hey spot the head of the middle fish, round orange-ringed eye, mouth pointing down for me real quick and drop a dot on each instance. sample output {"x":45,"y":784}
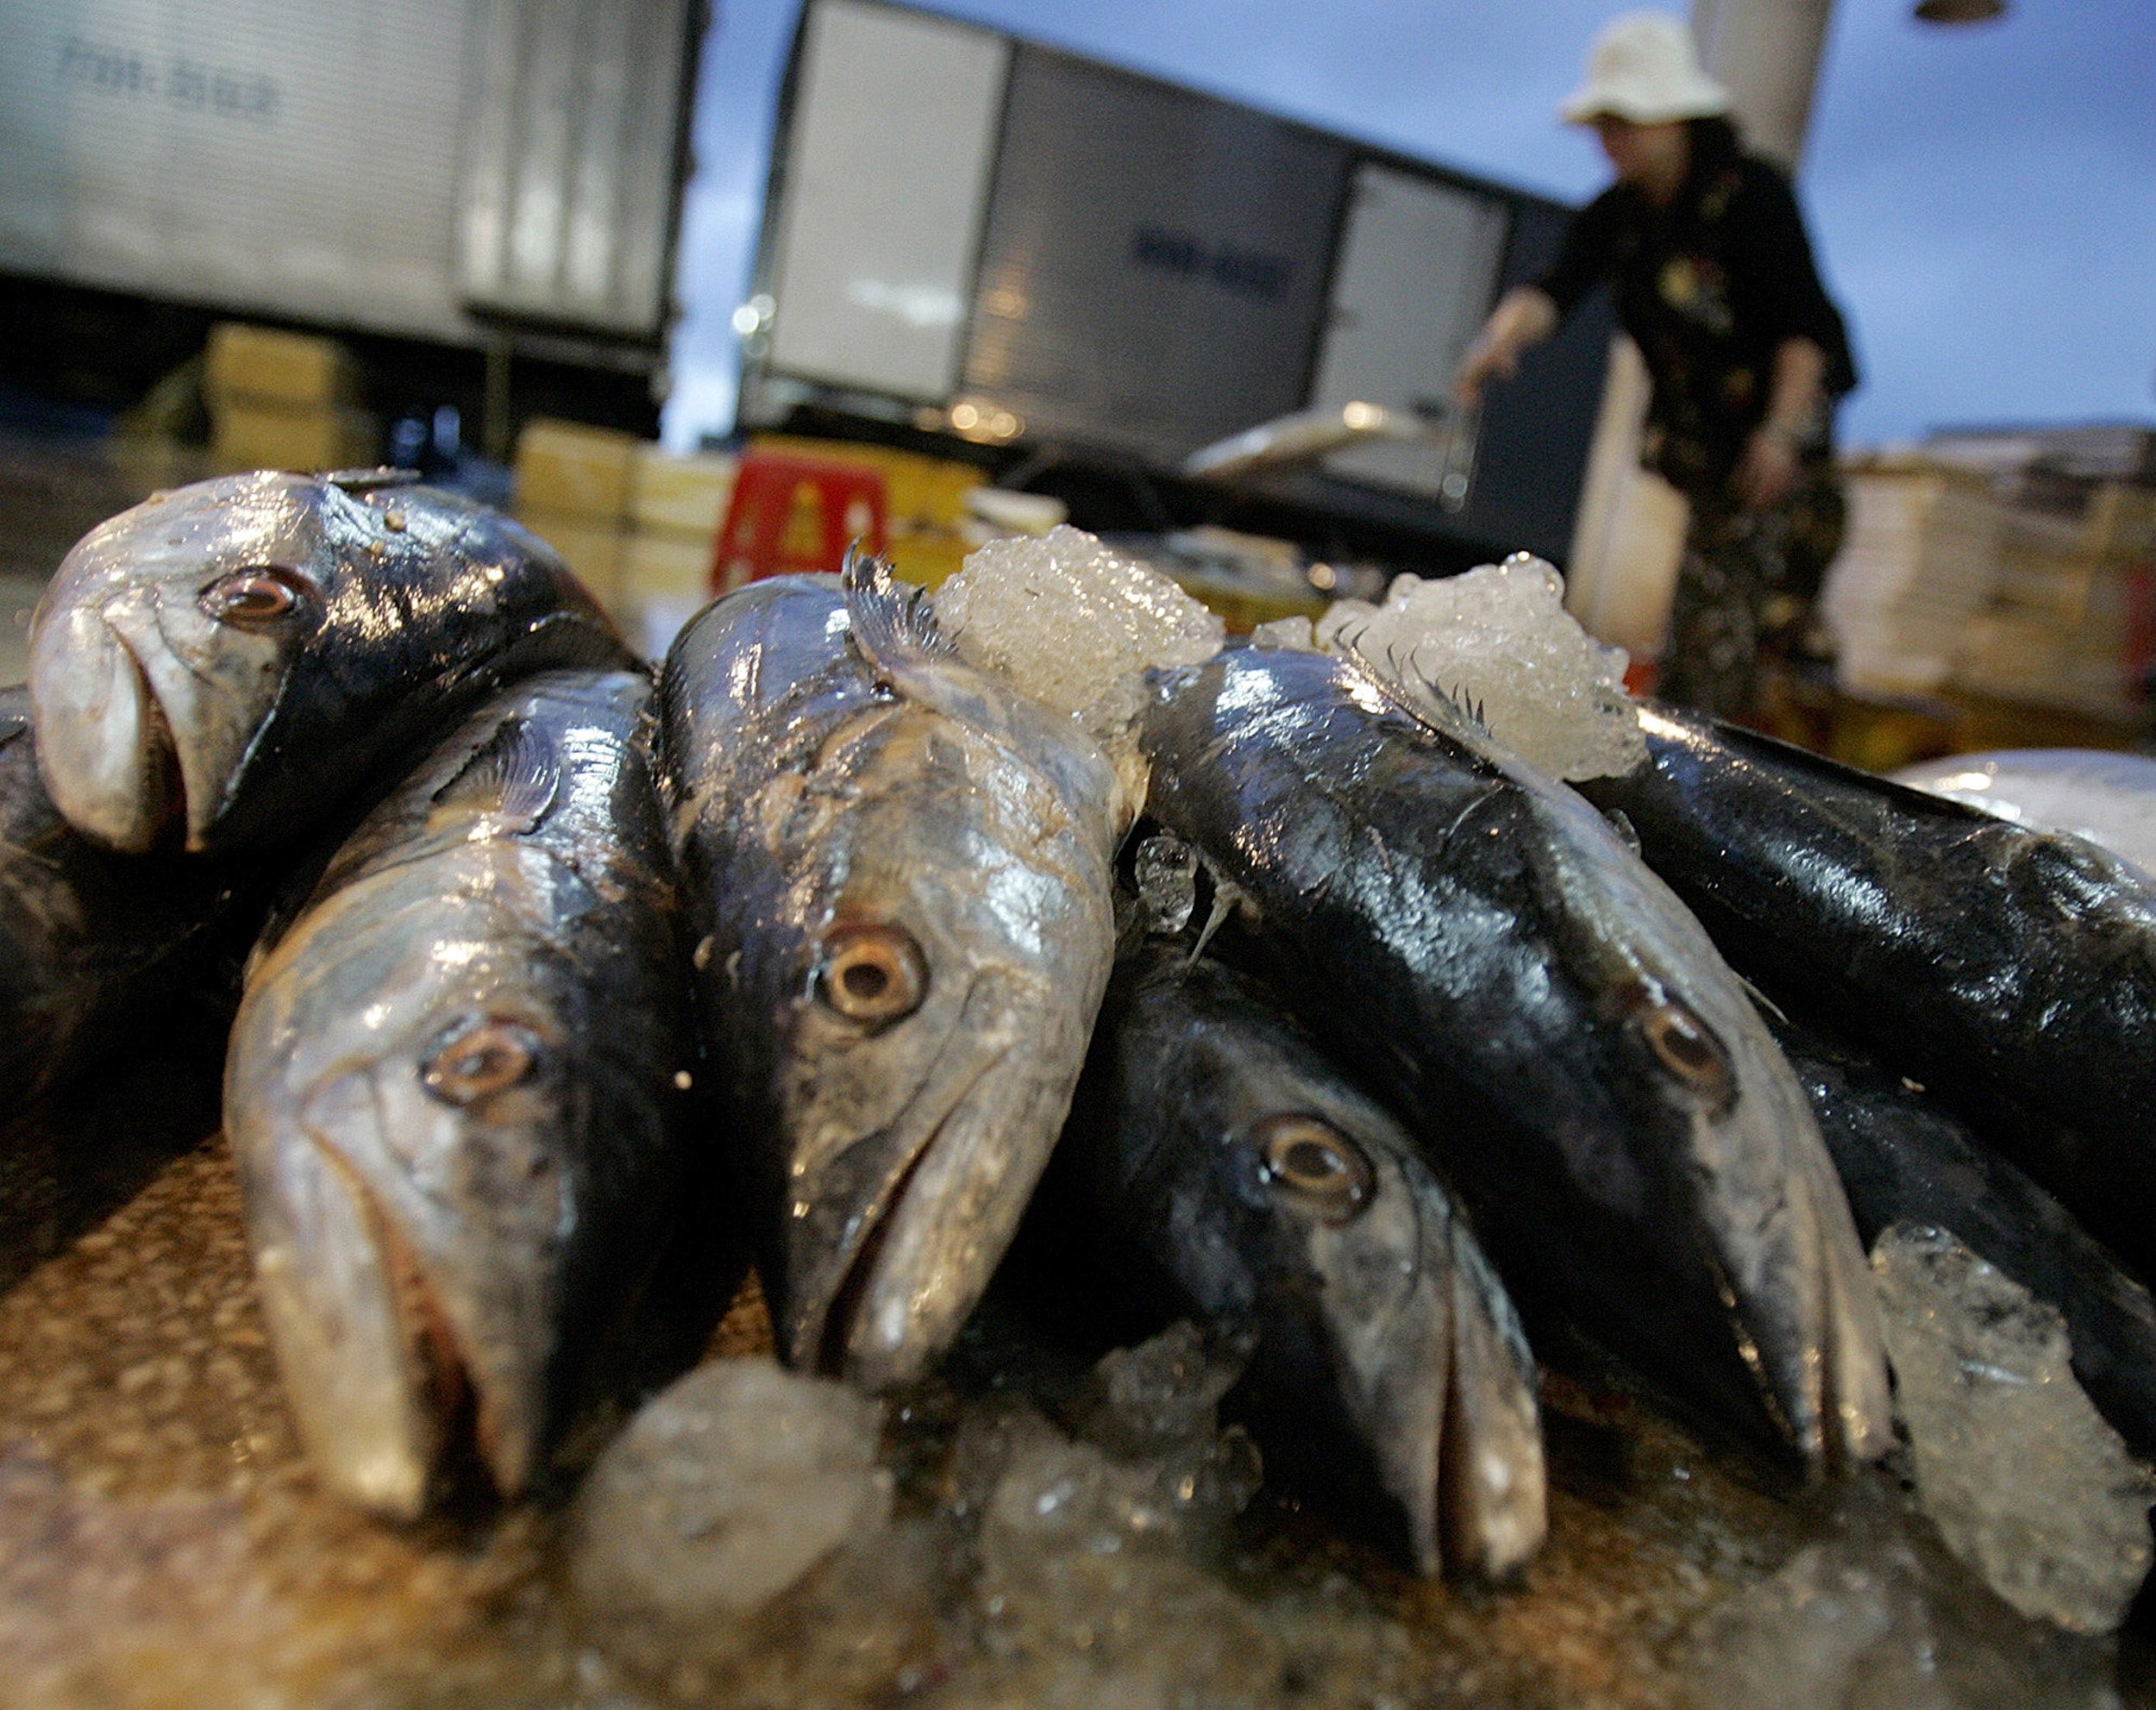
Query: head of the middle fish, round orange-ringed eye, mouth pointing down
{"x":935,"y":1021}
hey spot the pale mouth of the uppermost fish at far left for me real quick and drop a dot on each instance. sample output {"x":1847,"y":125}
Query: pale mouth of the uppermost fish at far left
{"x":105,"y":745}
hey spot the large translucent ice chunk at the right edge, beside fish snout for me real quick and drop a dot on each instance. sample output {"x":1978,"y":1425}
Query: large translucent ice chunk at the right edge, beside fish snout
{"x":2017,"y":1470}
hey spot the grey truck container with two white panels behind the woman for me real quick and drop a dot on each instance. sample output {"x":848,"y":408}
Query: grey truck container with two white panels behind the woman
{"x":984,"y":236}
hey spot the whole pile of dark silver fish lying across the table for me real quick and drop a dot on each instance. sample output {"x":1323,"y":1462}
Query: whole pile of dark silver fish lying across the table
{"x":1293,"y":1002}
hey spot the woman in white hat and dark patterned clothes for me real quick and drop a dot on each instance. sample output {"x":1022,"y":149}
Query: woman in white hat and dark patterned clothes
{"x":1713,"y":275}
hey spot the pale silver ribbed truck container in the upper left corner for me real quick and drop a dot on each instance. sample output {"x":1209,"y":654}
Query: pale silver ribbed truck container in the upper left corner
{"x":426,"y":169}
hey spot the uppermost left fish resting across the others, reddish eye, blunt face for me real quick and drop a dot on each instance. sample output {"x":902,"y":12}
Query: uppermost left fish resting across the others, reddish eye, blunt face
{"x":227,"y":661}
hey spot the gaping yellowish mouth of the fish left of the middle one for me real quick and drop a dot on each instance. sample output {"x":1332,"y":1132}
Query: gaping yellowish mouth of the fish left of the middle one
{"x":387,"y":1394}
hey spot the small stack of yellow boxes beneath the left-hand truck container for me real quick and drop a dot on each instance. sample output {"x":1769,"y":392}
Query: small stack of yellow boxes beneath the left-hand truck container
{"x":284,"y":402}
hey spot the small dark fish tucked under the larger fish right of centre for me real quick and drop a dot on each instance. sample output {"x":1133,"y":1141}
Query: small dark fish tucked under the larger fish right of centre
{"x":1226,"y":1172}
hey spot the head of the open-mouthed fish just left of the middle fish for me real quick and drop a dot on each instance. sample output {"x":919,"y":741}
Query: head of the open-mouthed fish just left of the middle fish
{"x":415,"y":1206}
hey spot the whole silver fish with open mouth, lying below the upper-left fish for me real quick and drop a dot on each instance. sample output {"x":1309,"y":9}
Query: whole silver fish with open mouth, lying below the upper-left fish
{"x":454,"y":1092}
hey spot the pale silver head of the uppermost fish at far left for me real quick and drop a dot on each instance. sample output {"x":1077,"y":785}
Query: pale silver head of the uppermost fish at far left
{"x":165,"y":644}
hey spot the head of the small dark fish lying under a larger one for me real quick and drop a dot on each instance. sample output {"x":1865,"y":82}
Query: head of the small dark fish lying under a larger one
{"x":1374,"y":1308}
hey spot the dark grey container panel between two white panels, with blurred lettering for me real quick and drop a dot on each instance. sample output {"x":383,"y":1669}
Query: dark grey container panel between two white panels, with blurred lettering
{"x":1152,"y":275}
